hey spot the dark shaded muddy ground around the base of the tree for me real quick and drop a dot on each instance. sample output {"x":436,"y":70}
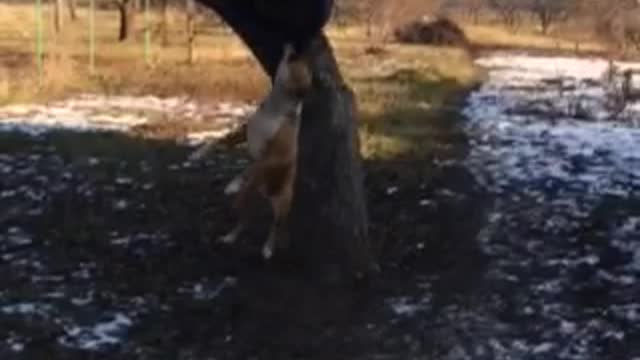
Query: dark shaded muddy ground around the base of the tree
{"x":101,"y":227}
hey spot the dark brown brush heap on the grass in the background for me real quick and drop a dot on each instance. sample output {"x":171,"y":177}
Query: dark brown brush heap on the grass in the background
{"x":440,"y":31}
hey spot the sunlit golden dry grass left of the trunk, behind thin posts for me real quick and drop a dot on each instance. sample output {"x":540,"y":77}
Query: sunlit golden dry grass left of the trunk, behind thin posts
{"x":120,"y":67}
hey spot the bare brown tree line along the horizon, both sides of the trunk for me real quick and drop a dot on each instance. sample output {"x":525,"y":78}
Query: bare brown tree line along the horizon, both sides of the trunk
{"x":615,"y":22}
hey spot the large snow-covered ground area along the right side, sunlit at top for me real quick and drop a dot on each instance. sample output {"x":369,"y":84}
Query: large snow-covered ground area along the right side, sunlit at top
{"x":563,"y":234}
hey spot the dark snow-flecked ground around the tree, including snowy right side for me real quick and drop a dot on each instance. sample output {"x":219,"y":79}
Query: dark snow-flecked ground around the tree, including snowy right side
{"x":518,"y":238}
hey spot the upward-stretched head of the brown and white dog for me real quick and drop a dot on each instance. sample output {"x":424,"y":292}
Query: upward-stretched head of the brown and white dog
{"x":293,"y":75}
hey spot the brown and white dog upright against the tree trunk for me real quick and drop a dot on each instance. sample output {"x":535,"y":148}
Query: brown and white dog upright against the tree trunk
{"x":272,"y":137}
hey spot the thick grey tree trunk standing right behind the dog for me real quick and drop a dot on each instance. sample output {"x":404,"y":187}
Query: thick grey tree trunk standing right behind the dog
{"x":329,"y":218}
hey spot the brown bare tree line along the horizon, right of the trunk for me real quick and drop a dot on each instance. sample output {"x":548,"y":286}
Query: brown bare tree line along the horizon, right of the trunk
{"x":616,"y":22}
